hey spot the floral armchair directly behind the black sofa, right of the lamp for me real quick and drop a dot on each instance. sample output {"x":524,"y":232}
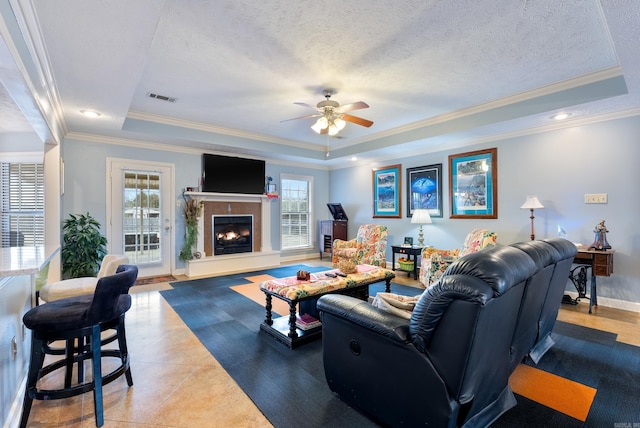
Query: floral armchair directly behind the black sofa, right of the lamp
{"x":435,"y":261}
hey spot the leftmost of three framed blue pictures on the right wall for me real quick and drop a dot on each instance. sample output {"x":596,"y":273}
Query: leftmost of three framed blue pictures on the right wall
{"x":386,"y":191}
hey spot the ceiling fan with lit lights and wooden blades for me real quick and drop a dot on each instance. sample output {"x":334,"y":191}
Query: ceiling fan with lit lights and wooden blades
{"x":332,"y":116}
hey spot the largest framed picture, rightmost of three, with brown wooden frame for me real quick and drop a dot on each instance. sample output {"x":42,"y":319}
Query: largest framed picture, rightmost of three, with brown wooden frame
{"x":473,"y":184}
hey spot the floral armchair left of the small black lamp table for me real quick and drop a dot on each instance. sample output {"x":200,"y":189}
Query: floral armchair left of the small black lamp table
{"x":368,"y":248}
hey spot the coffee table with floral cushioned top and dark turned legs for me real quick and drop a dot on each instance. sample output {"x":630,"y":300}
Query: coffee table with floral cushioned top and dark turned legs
{"x":294,"y":291}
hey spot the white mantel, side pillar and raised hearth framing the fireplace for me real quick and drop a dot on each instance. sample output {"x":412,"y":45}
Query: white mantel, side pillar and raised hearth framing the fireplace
{"x":226,"y":263}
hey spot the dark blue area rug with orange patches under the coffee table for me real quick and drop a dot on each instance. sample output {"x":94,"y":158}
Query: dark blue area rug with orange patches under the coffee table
{"x":595,"y":374}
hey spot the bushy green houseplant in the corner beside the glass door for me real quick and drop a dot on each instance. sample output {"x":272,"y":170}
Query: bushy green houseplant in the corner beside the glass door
{"x":83,"y":246}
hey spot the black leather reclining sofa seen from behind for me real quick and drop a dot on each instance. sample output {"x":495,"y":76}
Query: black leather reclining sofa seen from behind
{"x":449,"y":364}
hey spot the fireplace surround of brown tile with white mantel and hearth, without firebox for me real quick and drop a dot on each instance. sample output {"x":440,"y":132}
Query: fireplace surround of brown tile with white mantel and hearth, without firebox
{"x":262,"y":256}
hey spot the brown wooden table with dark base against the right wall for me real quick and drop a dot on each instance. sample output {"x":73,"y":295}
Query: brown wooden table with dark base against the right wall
{"x":601,"y":264}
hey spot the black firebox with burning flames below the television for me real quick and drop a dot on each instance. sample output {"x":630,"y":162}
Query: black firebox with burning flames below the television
{"x":232,"y":234}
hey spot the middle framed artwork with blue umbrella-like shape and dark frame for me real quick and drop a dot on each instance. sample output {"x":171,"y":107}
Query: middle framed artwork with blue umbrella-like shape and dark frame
{"x":424,"y":189}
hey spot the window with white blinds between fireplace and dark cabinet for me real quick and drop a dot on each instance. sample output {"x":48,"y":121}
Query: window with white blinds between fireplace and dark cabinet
{"x":295,"y":203}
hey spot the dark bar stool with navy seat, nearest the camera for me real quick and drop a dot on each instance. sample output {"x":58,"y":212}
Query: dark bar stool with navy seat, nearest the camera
{"x":78,"y":321}
